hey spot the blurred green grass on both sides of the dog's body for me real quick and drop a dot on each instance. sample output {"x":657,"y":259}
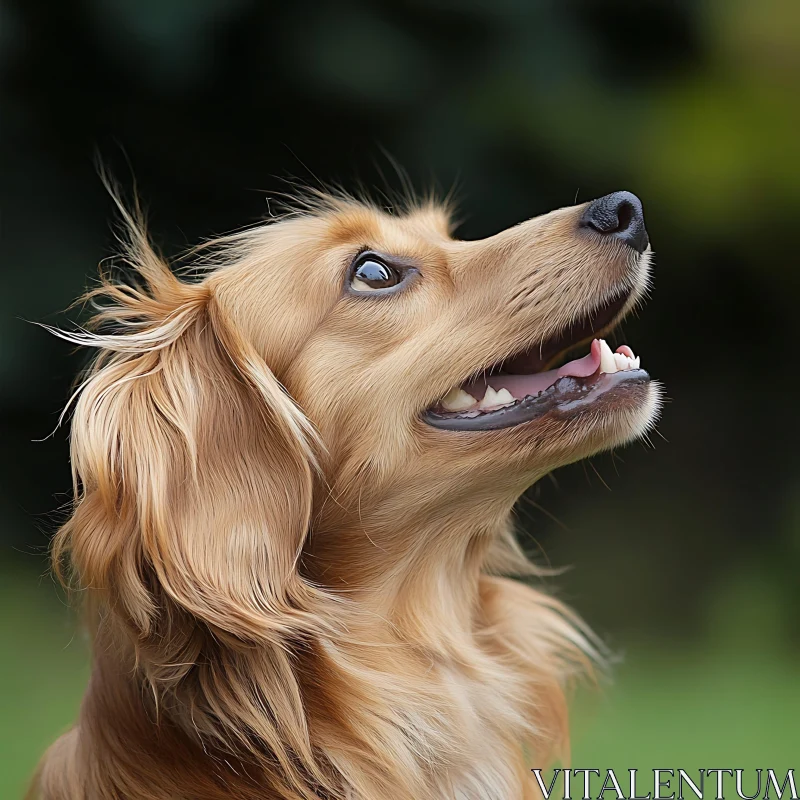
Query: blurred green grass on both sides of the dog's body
{"x":667,"y":706}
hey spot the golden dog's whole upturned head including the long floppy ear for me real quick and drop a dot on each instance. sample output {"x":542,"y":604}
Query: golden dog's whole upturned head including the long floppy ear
{"x":343,"y":367}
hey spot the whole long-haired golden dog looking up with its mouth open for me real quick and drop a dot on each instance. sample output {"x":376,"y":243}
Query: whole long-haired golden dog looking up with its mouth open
{"x":294,"y":480}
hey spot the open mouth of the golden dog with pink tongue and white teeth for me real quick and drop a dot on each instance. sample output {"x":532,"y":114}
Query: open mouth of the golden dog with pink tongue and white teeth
{"x":520,"y":389}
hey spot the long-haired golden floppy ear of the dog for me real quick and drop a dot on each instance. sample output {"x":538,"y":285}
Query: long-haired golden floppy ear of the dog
{"x":193,"y":467}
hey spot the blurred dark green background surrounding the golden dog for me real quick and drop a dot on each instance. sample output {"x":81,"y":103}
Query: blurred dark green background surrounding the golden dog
{"x":683,"y":557}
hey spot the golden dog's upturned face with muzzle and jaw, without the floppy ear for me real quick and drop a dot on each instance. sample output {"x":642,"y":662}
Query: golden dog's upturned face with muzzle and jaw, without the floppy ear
{"x":432,"y":367}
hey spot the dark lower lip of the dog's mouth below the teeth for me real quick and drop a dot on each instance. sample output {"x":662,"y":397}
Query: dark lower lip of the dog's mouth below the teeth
{"x":566,"y":396}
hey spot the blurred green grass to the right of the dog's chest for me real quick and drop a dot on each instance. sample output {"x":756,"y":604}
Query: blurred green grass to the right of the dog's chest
{"x":693,"y":710}
